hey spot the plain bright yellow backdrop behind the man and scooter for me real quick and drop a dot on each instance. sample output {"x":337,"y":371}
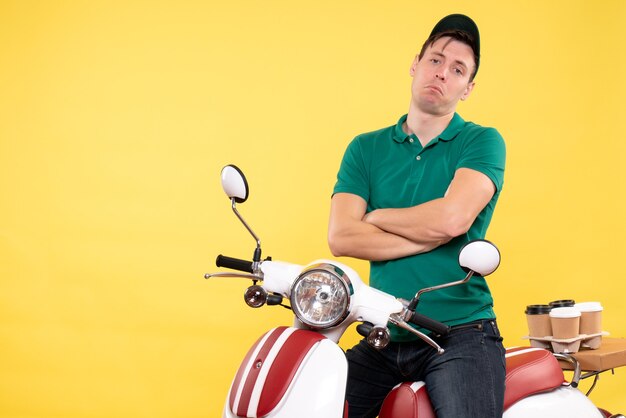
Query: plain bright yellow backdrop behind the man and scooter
{"x":117,"y":116}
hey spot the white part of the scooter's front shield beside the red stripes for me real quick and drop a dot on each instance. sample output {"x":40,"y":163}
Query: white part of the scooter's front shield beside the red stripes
{"x":318,"y":388}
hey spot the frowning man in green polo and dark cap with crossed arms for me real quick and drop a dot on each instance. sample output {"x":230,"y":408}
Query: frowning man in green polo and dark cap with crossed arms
{"x":407,"y":198}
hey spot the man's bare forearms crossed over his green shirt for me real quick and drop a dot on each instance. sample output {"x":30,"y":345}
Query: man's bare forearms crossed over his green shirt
{"x":386,"y":234}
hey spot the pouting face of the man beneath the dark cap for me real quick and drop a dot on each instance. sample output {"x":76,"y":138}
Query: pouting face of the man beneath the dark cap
{"x":442,"y":76}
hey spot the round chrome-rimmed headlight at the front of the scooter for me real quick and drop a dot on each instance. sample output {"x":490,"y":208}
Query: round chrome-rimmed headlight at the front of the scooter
{"x":320,"y":296}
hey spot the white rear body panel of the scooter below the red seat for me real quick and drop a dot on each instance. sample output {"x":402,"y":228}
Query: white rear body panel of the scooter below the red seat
{"x":564,"y":402}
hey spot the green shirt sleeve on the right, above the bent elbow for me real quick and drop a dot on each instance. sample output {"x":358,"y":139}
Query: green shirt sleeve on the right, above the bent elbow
{"x":486,"y":153}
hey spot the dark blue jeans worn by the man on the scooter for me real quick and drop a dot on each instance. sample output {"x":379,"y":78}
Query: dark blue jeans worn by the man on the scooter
{"x":465,"y":381}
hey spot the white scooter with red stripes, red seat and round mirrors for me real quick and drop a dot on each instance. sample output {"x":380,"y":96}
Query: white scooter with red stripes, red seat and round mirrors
{"x":300,"y":371}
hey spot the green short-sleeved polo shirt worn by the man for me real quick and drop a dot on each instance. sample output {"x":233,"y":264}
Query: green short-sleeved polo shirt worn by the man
{"x":390,"y":169}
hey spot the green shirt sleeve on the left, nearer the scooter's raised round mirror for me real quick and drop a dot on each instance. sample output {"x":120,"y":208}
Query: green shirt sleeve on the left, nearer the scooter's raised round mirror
{"x":353,"y":176}
